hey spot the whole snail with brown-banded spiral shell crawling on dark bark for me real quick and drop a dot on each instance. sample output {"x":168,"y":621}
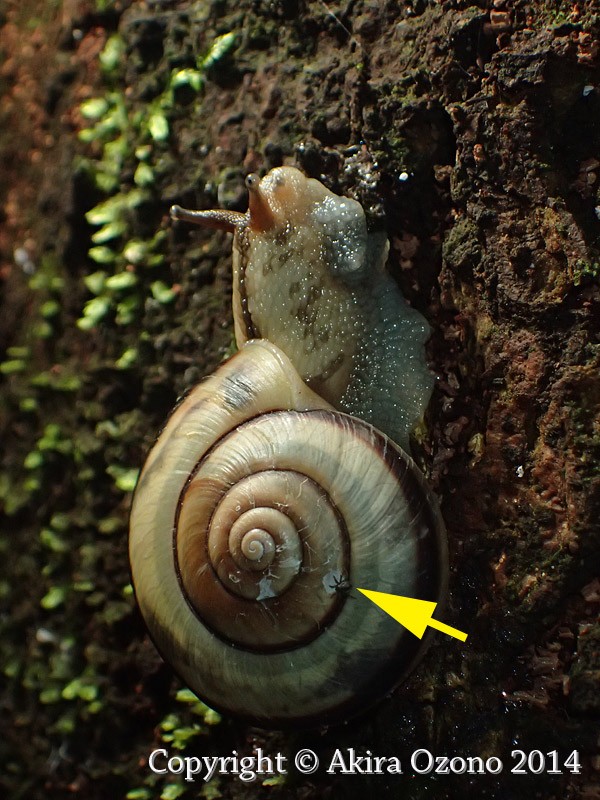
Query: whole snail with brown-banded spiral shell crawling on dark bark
{"x":278,"y":485}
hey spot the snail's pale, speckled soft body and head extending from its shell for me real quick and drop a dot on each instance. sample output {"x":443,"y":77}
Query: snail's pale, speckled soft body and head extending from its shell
{"x":309,"y":278}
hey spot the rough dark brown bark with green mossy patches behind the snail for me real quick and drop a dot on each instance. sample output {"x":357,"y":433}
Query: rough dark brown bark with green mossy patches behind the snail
{"x":471,"y":133}
